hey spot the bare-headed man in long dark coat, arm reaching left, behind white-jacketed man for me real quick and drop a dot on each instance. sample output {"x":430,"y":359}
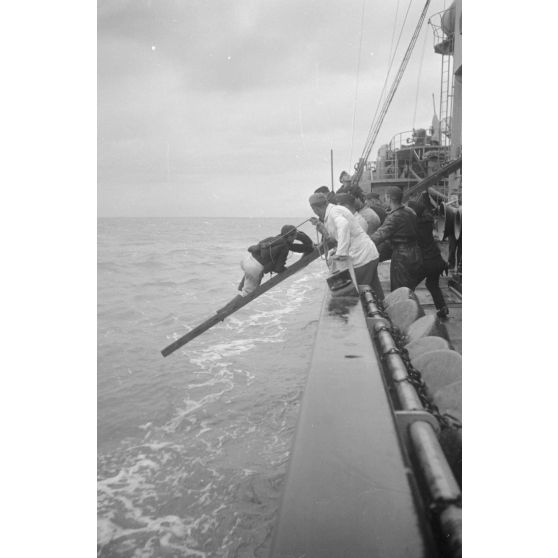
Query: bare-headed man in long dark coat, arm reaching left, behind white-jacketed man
{"x":400,"y":229}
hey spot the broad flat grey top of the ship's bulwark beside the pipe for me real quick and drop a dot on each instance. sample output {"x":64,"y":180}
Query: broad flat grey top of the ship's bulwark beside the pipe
{"x":348,"y":491}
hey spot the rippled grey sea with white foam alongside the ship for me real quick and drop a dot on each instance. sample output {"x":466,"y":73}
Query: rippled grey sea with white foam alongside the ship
{"x":193,"y":448}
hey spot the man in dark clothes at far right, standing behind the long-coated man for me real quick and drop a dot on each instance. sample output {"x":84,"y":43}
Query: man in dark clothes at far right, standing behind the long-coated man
{"x":433,"y":263}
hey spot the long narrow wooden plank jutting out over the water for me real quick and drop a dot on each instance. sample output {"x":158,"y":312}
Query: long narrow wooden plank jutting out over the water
{"x":210,"y":322}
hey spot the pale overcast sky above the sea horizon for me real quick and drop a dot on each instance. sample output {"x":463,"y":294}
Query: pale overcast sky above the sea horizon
{"x":230,"y":108}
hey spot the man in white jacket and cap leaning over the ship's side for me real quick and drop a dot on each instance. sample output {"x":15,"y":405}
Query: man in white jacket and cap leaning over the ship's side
{"x":353,"y":244}
